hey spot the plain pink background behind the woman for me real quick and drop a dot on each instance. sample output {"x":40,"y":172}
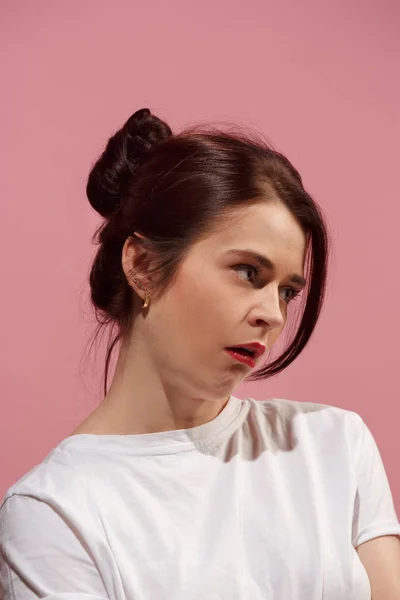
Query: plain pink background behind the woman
{"x":319,"y":78}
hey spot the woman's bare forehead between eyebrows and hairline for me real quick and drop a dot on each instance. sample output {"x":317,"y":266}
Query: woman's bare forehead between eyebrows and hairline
{"x":268,"y":228}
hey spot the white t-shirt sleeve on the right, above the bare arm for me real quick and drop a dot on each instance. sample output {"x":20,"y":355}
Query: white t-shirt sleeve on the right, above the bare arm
{"x":374,"y":513}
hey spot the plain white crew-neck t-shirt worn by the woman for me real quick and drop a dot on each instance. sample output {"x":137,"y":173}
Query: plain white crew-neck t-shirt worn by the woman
{"x":267,"y":501}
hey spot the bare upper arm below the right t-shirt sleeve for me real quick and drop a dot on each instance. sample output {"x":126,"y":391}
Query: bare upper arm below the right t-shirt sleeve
{"x":381,"y":559}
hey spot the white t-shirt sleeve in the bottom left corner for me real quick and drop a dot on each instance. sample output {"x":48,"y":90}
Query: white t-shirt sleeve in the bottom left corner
{"x":41,"y":556}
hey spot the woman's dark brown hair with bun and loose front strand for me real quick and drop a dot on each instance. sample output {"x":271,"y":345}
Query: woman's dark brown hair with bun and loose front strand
{"x":175,"y":189}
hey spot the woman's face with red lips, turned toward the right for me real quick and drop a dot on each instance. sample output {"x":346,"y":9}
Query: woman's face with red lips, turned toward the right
{"x":219,"y":300}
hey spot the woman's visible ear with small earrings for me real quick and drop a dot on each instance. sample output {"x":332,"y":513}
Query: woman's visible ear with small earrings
{"x":135,"y":262}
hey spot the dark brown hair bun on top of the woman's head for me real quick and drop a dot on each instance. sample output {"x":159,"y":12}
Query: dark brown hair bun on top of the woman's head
{"x":129,"y":147}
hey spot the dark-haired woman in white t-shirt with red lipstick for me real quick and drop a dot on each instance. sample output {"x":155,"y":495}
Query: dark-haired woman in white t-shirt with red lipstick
{"x":173,"y":488}
